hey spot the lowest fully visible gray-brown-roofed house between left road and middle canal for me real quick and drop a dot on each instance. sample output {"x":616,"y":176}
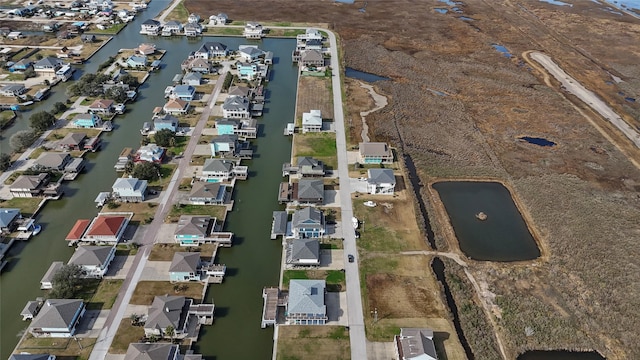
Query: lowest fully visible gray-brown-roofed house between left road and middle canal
{"x":168,"y":311}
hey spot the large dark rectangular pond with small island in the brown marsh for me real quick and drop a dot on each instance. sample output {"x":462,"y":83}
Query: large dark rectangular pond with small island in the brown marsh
{"x":486,"y":221}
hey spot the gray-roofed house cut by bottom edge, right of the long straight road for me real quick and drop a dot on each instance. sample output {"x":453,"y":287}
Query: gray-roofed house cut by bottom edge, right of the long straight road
{"x":415,"y":344}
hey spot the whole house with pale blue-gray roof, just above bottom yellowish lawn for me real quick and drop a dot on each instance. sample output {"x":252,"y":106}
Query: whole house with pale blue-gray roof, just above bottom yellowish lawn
{"x":306,"y":303}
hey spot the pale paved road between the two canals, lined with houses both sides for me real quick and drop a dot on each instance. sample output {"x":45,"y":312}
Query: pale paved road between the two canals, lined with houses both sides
{"x":150,"y":233}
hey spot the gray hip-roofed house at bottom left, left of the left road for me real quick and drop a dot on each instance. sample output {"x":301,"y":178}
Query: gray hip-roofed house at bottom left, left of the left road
{"x":58,"y":318}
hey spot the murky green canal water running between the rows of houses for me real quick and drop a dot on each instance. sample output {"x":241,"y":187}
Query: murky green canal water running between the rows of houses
{"x":254,"y":260}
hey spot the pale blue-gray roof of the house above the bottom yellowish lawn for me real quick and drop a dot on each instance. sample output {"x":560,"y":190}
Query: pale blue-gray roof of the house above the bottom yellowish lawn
{"x":306,"y":297}
